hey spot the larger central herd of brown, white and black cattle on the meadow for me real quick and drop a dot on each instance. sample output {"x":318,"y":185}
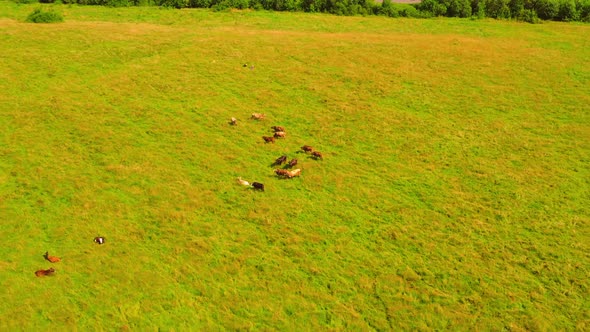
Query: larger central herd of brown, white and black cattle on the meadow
{"x":286,"y":172}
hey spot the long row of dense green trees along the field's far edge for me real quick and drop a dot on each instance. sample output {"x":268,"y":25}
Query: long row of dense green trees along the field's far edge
{"x":532,"y":11}
